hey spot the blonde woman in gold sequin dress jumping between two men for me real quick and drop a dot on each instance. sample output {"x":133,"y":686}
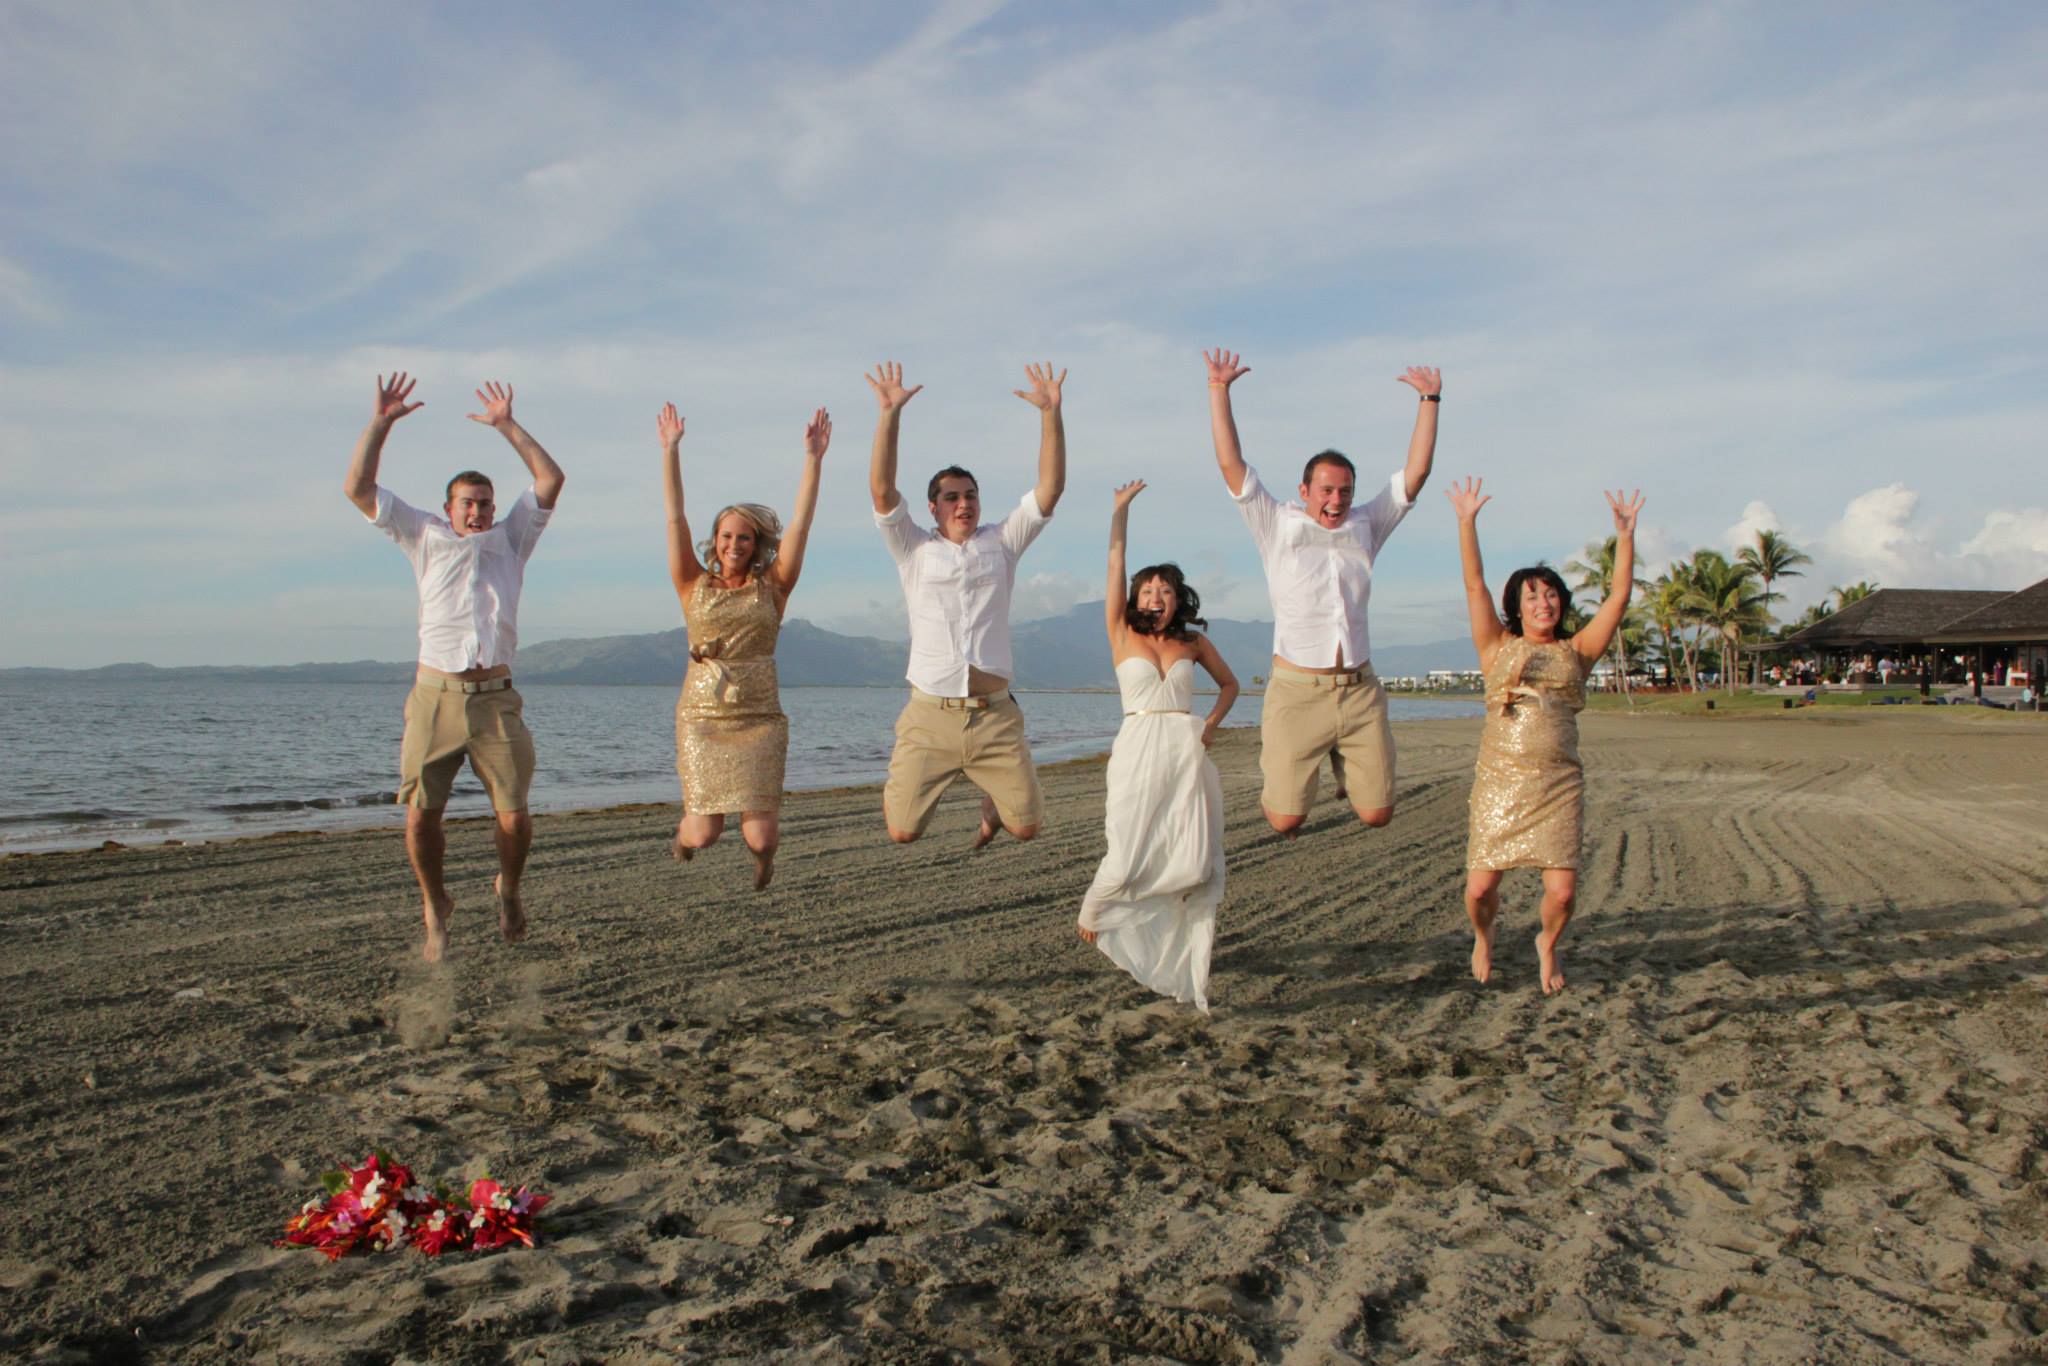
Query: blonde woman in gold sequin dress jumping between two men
{"x":732,"y":738}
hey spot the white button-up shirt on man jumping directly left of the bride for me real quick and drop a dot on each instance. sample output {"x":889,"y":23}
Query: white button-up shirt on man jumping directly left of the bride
{"x":959,"y":595}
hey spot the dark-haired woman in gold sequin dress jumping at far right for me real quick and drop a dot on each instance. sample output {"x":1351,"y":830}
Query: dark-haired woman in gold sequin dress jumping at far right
{"x":1529,"y":787}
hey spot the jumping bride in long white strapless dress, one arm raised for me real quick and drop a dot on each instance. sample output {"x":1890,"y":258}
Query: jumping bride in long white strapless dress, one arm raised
{"x":1152,"y":908}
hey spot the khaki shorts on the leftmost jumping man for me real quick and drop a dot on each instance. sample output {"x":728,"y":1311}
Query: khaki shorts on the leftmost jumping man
{"x":443,"y":724}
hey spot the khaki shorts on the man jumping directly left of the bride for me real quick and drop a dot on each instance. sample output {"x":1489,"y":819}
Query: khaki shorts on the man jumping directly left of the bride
{"x":939,"y":740}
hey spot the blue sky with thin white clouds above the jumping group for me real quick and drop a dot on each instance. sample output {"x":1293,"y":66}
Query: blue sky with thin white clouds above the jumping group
{"x":1777,"y":265}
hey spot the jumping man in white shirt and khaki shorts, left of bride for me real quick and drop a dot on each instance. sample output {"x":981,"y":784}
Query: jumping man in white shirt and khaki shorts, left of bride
{"x":962,"y":718}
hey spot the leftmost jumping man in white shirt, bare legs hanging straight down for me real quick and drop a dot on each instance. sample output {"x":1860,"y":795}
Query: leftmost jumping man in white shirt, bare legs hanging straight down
{"x":470,"y":566}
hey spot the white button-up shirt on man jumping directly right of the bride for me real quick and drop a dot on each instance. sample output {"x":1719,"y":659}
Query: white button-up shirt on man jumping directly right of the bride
{"x":1320,"y":579}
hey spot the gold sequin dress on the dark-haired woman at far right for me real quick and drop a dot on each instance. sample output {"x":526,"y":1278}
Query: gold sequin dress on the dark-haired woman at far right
{"x":1529,"y":785}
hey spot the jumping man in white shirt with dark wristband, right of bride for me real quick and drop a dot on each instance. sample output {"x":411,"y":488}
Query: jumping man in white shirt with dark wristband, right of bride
{"x":1318,"y":556}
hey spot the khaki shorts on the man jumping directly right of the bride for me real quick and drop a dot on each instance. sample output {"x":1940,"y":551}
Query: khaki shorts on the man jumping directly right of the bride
{"x":1306,"y":718}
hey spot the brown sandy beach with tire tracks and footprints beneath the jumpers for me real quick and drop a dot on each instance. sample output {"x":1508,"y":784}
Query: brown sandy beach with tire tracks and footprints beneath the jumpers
{"x":1791,"y":1109}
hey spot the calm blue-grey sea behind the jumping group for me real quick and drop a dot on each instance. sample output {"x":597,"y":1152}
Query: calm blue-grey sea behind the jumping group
{"x":83,"y":763}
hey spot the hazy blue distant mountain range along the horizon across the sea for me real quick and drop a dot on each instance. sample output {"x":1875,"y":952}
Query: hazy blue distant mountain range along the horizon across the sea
{"x":1054,"y":652}
